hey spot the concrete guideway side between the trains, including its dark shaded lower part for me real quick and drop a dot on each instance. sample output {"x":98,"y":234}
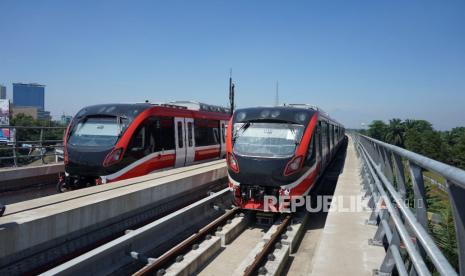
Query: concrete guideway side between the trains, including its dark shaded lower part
{"x":41,"y":229}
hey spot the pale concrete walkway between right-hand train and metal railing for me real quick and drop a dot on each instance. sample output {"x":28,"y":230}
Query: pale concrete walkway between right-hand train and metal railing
{"x":344,"y":248}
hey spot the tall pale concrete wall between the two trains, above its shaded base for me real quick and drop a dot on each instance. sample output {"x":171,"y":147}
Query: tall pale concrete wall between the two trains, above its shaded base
{"x":37,"y":222}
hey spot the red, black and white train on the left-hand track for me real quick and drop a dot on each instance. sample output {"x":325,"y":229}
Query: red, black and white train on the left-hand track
{"x":106,"y":143}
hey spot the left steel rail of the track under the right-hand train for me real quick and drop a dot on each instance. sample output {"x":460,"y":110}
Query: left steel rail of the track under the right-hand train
{"x":179,"y":249}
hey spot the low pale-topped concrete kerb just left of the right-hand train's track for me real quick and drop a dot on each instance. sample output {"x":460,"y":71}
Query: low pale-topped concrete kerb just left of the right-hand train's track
{"x":116,"y":254}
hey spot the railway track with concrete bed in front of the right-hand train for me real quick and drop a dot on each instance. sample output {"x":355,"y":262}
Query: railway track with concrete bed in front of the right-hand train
{"x":200,"y":251}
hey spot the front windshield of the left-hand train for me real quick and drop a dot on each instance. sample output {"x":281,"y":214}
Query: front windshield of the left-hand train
{"x":97,"y":131}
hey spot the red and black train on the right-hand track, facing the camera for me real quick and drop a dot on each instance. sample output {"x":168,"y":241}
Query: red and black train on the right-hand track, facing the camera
{"x":277,"y":152}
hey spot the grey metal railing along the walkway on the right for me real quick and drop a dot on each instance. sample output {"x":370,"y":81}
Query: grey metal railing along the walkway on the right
{"x":399,"y":225}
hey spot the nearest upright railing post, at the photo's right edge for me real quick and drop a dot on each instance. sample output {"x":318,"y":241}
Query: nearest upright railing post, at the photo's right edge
{"x":457,"y":201}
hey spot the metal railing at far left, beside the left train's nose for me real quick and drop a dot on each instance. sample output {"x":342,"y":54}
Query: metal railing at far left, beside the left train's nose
{"x":35,"y":138}
